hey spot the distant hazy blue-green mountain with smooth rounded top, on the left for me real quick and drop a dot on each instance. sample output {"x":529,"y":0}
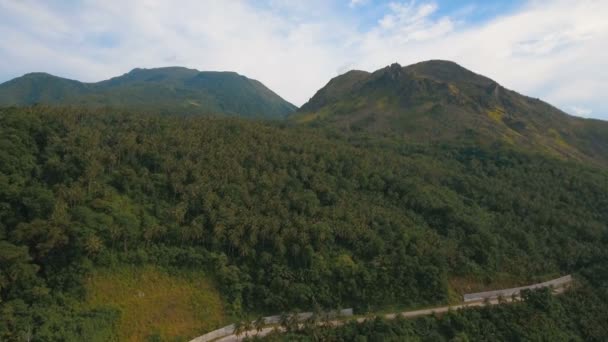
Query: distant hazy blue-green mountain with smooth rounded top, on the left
{"x":167,"y":90}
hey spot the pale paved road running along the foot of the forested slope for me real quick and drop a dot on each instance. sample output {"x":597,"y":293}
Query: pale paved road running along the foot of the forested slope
{"x":406,"y":314}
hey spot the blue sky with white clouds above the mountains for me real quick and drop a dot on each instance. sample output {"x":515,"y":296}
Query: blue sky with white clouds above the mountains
{"x":556,"y":50}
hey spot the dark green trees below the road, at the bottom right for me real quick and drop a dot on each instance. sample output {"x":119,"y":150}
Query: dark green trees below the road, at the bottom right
{"x":579,"y":315}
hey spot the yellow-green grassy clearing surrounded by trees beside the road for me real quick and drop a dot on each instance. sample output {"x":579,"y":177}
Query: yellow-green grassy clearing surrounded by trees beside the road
{"x":153,"y":302}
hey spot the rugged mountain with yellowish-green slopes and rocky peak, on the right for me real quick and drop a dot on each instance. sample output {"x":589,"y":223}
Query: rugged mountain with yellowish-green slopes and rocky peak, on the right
{"x":442,"y":101}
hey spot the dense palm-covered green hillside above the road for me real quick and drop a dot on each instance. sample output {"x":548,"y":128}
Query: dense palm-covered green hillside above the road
{"x":277,"y":217}
